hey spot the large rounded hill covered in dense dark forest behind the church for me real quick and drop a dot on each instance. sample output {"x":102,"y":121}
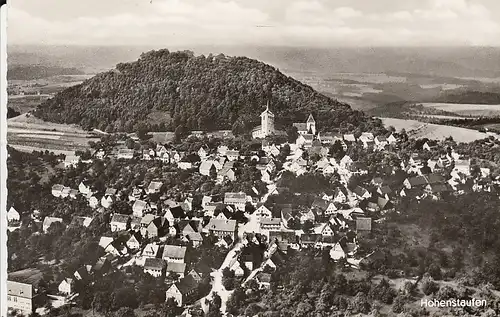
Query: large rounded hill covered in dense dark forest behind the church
{"x":165,"y":90}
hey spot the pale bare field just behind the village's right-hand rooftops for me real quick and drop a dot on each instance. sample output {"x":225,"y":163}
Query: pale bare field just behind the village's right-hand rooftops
{"x":417,"y":129}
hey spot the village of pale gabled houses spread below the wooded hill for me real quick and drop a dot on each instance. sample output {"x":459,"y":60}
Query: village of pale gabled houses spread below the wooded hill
{"x":256,"y":230}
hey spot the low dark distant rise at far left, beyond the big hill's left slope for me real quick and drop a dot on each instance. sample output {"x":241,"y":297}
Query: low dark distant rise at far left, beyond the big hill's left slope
{"x":30,"y":72}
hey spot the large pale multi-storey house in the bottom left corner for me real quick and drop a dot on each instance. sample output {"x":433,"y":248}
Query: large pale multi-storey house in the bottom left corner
{"x":21,"y":296}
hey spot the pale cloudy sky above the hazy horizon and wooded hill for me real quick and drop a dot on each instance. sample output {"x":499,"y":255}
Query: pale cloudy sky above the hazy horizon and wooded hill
{"x":322,"y":23}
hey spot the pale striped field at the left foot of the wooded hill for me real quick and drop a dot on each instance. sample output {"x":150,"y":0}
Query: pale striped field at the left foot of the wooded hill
{"x":28,"y":134}
